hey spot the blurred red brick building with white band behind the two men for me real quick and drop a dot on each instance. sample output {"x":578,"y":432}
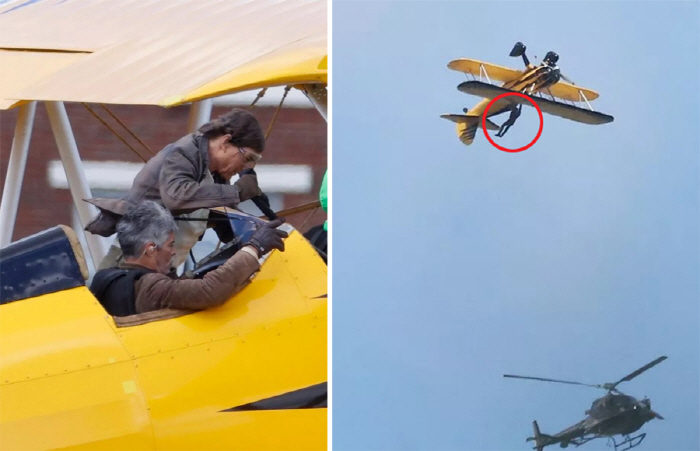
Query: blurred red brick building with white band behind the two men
{"x":290,"y":173}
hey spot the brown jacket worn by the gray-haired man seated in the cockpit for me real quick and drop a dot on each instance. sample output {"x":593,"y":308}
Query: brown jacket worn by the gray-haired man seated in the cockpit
{"x":155,"y":291}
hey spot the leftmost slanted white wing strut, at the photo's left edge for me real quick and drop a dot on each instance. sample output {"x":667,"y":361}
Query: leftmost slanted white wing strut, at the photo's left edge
{"x":15,"y":172}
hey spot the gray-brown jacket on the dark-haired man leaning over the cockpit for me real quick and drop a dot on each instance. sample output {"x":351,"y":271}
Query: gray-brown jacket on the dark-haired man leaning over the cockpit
{"x":175,"y":177}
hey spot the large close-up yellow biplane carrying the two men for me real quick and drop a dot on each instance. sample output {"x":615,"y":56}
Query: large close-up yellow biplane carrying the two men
{"x":250,"y":375}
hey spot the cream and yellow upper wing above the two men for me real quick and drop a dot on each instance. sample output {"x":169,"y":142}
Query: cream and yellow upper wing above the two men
{"x":119,"y":54}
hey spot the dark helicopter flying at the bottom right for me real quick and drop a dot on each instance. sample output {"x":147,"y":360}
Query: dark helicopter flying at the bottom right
{"x":613,"y":414}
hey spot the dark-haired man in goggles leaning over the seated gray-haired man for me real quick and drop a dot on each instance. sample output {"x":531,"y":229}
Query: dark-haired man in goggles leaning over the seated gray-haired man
{"x":190,"y":176}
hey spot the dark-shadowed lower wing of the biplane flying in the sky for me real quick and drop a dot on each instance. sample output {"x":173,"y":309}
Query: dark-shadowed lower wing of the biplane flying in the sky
{"x":560,"y":109}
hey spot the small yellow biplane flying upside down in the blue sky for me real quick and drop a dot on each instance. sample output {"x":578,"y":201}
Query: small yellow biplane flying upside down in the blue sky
{"x":541,"y":83}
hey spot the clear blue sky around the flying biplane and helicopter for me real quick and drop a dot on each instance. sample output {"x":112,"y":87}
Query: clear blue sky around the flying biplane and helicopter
{"x":575,"y":259}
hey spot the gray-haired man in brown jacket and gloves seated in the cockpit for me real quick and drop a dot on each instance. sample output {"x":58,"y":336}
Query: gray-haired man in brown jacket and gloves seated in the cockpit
{"x":139,"y":284}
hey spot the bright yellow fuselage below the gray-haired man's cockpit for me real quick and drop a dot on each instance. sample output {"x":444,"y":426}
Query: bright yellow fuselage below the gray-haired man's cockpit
{"x":71,"y":379}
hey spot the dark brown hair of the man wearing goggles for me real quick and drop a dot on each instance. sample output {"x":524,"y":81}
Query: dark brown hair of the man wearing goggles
{"x":243,"y":127}
